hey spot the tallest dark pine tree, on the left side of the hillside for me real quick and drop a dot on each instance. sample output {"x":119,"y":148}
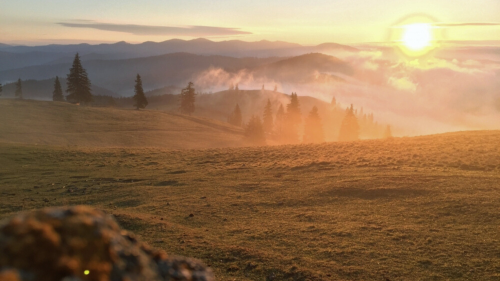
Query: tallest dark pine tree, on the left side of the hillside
{"x":78,"y":83}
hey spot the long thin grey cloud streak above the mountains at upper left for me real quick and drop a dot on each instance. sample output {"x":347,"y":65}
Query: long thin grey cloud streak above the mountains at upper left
{"x":194,"y":31}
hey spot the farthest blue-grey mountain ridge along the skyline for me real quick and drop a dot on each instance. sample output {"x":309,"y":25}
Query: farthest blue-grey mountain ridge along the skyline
{"x":14,"y":57}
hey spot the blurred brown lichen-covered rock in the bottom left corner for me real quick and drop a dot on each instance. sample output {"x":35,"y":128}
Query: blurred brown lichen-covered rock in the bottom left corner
{"x":80,"y":243}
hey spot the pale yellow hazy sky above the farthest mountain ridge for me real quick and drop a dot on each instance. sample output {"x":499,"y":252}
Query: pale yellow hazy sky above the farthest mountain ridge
{"x":305,"y":22}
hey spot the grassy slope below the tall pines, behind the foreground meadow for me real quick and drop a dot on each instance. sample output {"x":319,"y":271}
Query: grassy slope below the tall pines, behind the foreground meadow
{"x":54,"y":123}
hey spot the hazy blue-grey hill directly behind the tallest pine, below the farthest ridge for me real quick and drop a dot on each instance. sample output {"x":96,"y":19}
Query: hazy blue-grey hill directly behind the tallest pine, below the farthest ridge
{"x":156,"y":72}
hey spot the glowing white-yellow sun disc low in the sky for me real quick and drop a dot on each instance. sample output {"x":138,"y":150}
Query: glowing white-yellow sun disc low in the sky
{"x":417,"y":36}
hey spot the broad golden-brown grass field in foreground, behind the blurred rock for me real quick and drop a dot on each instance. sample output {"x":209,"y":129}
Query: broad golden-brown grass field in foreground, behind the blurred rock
{"x":424,"y":208}
